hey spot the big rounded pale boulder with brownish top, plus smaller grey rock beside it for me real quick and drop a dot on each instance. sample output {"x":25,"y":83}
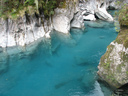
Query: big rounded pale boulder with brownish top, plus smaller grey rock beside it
{"x":63,"y":17}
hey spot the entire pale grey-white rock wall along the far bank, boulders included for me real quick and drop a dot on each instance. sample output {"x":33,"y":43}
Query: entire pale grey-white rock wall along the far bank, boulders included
{"x":28,"y":28}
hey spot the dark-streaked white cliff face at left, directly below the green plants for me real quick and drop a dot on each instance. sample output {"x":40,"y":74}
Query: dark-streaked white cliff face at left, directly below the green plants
{"x":22,"y":31}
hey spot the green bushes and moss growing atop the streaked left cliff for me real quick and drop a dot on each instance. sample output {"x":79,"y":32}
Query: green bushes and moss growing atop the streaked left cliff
{"x":15,"y":8}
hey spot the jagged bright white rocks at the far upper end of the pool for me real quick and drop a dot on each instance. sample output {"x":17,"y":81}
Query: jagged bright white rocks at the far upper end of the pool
{"x":95,"y":8}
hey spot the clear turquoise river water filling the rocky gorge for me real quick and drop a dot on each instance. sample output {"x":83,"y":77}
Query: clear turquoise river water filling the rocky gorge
{"x":66,"y":65}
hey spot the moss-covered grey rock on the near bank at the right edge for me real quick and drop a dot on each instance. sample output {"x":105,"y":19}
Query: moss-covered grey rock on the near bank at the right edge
{"x":113,"y":67}
